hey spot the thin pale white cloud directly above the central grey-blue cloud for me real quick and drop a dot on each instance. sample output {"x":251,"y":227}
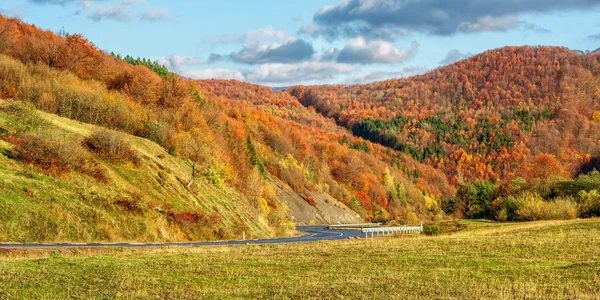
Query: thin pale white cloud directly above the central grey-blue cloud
{"x":251,"y":37}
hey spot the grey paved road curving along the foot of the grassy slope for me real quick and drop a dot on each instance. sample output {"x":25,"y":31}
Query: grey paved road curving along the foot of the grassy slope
{"x":311,"y":234}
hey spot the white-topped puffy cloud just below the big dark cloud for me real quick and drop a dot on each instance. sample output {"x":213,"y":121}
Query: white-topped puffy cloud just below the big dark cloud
{"x":361,"y":51}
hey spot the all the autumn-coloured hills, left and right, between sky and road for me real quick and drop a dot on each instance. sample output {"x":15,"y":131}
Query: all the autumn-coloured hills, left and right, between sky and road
{"x":213,"y":158}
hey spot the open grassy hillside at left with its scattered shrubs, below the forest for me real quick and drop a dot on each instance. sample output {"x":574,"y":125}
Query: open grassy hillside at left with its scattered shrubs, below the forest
{"x":117,"y":201}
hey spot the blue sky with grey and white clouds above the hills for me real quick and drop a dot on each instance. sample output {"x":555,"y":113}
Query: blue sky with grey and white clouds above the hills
{"x":282,"y":43}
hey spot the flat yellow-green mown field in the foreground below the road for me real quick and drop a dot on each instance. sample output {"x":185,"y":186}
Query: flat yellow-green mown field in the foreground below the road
{"x":547,"y":259}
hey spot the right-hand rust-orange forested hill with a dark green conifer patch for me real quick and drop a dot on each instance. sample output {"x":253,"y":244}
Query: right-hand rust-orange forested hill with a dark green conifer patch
{"x":515,"y":111}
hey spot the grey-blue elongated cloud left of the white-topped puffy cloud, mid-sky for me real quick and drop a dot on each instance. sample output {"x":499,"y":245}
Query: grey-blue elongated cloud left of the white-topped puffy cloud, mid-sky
{"x":290,"y":51}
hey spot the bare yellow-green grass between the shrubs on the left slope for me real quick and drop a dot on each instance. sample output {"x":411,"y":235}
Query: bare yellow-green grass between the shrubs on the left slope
{"x":78,"y":208}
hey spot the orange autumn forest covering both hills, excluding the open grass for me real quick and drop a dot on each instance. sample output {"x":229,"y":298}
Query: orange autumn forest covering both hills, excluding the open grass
{"x":509,"y":134}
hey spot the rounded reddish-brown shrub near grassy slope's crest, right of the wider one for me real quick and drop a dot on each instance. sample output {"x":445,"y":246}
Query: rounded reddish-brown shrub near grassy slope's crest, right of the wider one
{"x":110,"y":146}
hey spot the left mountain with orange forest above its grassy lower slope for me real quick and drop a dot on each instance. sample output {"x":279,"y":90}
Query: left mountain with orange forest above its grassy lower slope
{"x":165,"y":158}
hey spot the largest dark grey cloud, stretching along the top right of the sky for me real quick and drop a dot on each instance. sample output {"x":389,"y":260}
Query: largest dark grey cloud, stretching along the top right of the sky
{"x":385,"y":18}
